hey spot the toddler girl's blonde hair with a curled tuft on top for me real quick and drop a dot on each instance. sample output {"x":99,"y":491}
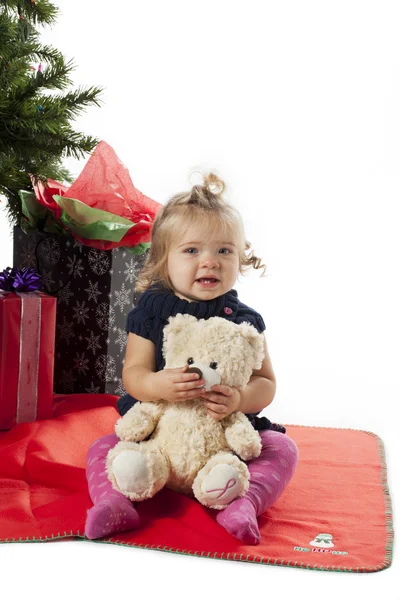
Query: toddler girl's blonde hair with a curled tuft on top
{"x":205,"y":206}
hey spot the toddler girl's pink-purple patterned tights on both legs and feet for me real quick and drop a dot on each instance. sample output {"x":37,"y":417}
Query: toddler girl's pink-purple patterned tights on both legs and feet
{"x":270,"y":473}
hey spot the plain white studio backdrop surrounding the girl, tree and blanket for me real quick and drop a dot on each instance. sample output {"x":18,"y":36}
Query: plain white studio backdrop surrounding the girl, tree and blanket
{"x":296,"y":106}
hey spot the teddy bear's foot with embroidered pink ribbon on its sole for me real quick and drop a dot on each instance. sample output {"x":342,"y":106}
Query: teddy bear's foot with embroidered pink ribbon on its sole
{"x":218,"y":483}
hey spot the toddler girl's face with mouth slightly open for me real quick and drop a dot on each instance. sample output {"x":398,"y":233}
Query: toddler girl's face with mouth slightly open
{"x":196,"y":259}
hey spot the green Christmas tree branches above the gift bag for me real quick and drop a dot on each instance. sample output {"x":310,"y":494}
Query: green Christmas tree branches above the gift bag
{"x":36,"y":132}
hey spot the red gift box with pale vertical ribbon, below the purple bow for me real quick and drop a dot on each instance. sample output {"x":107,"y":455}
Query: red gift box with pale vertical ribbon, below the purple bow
{"x":27,"y":334}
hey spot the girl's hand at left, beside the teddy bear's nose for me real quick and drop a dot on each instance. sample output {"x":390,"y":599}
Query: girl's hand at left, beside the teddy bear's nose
{"x":175,"y":385}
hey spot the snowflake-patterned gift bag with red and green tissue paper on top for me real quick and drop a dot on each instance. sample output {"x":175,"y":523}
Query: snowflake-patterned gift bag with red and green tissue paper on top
{"x":88,"y":242}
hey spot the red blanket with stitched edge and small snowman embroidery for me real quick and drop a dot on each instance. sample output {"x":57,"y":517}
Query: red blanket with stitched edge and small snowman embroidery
{"x":334,"y":515}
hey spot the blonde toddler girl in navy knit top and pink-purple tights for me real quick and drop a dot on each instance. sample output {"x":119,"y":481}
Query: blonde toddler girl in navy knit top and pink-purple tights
{"x":198,"y":249}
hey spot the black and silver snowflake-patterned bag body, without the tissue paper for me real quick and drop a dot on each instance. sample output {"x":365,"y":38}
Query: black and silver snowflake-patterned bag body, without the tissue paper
{"x":95,"y":291}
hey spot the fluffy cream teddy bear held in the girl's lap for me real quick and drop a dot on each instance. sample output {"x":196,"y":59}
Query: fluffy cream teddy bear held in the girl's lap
{"x":179,"y":445}
